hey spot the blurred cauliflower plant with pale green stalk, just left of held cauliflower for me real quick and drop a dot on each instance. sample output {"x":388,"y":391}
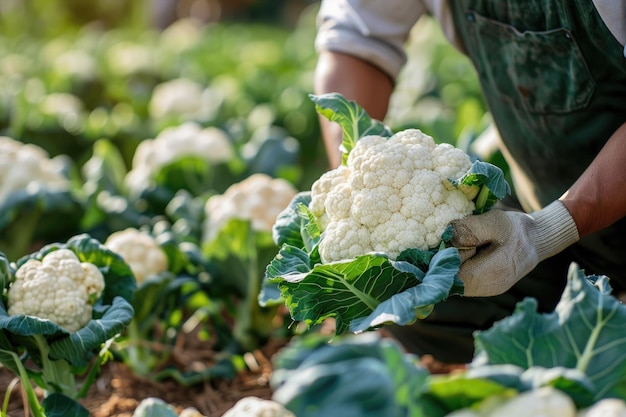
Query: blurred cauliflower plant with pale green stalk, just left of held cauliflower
{"x":237,"y":237}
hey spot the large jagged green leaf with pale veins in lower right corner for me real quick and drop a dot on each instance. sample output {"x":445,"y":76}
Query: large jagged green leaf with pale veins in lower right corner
{"x":586,"y":332}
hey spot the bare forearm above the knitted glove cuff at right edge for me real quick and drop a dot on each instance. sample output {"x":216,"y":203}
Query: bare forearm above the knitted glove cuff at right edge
{"x":597,"y":199}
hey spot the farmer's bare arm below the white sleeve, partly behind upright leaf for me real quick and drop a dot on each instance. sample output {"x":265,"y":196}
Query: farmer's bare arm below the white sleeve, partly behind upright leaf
{"x":356,"y":80}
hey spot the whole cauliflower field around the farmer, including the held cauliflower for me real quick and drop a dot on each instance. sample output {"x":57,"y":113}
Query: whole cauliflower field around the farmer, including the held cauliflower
{"x":163,"y":196}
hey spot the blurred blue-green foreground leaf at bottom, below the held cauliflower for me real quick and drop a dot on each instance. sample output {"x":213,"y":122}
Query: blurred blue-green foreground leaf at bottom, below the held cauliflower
{"x":356,"y":376}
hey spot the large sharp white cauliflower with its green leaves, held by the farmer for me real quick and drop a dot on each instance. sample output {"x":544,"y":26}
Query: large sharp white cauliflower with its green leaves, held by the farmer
{"x":367,"y":244}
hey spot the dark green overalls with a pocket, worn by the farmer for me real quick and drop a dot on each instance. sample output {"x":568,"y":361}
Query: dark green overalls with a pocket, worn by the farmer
{"x":554,"y":78}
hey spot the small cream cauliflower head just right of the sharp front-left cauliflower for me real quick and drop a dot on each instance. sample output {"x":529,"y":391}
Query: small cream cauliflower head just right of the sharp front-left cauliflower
{"x":140,"y":251}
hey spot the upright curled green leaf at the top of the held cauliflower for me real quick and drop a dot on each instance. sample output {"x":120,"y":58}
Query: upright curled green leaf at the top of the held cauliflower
{"x":352,"y":118}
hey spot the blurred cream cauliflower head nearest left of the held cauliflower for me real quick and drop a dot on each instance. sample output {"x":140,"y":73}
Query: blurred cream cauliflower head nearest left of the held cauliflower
{"x":258,"y":198}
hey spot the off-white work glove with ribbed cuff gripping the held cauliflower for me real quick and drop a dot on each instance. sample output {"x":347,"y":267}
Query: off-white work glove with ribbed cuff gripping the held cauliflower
{"x":498,"y":248}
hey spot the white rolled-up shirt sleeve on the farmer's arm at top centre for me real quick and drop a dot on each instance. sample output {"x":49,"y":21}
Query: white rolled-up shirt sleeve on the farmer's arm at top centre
{"x":373,"y":30}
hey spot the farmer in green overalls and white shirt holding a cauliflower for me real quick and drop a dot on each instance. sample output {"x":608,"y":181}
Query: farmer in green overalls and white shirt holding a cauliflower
{"x":553,"y":74}
